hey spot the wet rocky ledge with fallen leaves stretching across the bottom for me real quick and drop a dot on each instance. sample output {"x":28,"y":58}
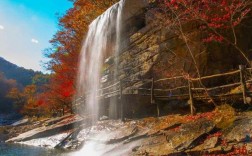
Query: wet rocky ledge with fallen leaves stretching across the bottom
{"x":220,"y":132}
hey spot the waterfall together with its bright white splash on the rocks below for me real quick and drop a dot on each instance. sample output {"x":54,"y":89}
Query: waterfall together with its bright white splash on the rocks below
{"x":103,"y":39}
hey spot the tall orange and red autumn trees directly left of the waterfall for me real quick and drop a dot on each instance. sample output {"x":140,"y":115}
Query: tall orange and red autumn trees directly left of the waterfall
{"x":66,"y":47}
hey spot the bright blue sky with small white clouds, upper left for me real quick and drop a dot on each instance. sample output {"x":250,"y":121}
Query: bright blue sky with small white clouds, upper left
{"x":26,"y":26}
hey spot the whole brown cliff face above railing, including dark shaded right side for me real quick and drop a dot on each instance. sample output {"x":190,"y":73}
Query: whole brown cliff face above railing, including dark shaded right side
{"x":153,"y":51}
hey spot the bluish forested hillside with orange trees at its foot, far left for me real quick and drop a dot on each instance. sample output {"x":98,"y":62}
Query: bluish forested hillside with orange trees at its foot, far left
{"x":14,"y":81}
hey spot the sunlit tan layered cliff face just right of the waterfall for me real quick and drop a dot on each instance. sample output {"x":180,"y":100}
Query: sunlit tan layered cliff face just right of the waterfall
{"x":153,"y":51}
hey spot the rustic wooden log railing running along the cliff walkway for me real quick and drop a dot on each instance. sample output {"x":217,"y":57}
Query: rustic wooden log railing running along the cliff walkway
{"x":188,"y":90}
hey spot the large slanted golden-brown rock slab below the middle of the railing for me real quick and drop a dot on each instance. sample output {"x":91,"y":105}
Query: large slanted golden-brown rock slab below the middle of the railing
{"x":179,"y":140}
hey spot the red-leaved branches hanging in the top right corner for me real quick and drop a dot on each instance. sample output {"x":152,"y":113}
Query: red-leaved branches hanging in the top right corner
{"x":215,"y":16}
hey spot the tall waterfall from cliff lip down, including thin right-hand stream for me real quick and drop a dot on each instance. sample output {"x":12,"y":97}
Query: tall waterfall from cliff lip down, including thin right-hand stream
{"x":104,"y":38}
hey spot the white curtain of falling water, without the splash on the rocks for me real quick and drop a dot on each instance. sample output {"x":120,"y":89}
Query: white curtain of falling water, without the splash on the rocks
{"x":103,"y":37}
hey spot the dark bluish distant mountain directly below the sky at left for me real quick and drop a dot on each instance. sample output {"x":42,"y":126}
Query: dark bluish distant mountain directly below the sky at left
{"x":21,"y":75}
